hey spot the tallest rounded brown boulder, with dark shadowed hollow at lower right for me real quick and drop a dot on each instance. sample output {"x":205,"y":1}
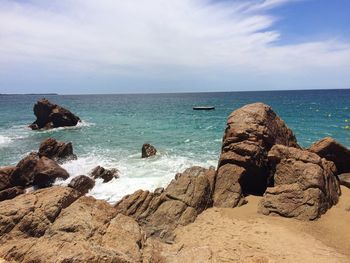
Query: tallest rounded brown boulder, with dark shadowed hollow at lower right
{"x":243,"y":166}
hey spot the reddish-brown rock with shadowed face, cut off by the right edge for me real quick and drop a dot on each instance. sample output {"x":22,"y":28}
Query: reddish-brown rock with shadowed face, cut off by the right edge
{"x":331,"y":150}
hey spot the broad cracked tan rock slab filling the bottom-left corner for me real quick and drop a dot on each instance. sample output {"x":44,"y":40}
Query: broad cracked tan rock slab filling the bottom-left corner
{"x":55,"y":225}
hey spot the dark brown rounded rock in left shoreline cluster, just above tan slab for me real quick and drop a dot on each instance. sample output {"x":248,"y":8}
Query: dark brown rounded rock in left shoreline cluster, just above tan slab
{"x":41,"y":172}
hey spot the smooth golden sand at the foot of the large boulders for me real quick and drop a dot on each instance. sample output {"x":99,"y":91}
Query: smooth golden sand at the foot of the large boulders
{"x":243,"y":235}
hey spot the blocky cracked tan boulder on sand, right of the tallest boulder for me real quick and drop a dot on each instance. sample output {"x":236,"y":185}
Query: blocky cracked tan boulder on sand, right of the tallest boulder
{"x":305,"y":185}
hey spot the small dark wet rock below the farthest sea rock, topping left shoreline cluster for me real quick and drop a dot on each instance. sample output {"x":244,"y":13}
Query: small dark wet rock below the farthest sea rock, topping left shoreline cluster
{"x":56,"y":150}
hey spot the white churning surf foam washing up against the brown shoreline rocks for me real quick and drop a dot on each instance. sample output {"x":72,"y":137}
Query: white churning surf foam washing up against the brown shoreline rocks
{"x":135,"y":173}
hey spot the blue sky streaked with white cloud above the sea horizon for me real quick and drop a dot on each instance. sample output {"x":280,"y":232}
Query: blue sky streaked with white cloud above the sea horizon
{"x":151,"y":46}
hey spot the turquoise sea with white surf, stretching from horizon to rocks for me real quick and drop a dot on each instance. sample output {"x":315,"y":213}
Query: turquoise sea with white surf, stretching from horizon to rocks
{"x":114,"y":128}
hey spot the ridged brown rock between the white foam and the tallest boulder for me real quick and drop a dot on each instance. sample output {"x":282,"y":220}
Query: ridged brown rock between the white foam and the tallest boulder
{"x":179,"y":204}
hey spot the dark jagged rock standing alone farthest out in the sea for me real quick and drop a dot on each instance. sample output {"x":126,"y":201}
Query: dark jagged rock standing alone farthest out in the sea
{"x":50,"y":115}
